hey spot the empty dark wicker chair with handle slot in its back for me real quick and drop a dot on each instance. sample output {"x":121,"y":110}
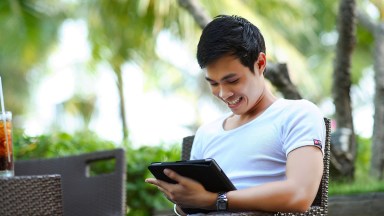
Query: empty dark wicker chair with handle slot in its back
{"x":83,"y":193}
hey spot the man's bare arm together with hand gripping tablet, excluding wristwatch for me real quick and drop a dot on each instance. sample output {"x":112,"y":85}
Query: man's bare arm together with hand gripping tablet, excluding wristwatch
{"x":295,"y":194}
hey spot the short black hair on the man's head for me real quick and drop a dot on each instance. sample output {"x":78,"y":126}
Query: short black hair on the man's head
{"x":230,"y":35}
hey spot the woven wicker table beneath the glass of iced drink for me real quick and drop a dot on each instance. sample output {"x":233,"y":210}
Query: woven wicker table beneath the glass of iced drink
{"x":31,"y":195}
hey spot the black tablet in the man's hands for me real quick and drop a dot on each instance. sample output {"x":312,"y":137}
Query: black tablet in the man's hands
{"x":205,"y":171}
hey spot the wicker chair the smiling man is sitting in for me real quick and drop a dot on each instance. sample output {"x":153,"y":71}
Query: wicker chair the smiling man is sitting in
{"x":319,"y":205}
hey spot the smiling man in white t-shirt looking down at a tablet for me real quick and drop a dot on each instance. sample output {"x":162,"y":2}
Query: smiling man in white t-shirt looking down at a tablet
{"x":270,"y":148}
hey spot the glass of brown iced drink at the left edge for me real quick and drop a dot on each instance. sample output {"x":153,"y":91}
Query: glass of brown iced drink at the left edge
{"x":6,"y":150}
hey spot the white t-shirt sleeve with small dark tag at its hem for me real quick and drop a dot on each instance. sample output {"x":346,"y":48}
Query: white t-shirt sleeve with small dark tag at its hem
{"x":303,"y":127}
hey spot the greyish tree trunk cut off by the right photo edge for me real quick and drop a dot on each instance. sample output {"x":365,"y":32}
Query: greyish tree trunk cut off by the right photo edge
{"x":377,"y":159}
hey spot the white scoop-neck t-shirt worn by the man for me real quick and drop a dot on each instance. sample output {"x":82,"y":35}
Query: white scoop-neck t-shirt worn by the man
{"x":256,"y":152}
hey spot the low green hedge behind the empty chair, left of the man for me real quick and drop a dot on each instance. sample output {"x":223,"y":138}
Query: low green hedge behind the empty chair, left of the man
{"x":142,"y":198}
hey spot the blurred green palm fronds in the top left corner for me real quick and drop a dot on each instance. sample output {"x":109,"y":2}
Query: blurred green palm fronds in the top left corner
{"x":29,"y":29}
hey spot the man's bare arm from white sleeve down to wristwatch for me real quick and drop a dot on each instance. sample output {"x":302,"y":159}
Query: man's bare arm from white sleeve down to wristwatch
{"x":295,"y":194}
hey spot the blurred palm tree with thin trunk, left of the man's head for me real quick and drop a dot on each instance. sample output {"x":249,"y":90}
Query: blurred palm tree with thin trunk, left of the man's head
{"x":123,"y":31}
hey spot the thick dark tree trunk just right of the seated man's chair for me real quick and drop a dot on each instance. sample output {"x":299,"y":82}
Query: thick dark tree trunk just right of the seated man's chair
{"x":344,"y":145}
